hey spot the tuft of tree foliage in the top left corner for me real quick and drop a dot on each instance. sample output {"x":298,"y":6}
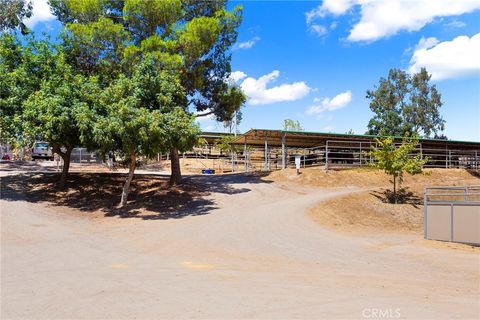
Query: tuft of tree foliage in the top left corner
{"x":12,"y":14}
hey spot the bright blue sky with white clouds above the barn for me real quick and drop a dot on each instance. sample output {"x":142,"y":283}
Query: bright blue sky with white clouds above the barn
{"x":313,"y":61}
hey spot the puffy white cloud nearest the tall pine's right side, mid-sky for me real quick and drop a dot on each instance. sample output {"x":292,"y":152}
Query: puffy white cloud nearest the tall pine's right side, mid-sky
{"x":258,"y":93}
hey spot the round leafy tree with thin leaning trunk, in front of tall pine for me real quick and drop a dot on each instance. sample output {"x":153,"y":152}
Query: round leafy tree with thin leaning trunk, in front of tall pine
{"x":139,"y":116}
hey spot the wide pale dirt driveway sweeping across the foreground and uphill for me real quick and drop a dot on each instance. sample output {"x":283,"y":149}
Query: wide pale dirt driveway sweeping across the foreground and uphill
{"x":254,"y":255}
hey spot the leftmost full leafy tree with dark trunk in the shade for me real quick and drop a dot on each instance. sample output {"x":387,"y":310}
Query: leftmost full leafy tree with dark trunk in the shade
{"x":53,"y":111}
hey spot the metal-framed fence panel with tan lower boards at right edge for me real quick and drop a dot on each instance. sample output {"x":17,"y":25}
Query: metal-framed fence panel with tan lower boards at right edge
{"x":452,"y":214}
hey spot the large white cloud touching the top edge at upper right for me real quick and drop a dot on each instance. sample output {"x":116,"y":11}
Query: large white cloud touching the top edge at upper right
{"x":379,"y":19}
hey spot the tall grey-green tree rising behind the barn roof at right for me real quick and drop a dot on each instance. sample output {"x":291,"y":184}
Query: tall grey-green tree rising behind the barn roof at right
{"x":404,"y":103}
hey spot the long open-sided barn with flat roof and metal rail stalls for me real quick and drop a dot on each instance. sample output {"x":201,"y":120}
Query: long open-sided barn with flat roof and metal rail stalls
{"x":263,"y":149}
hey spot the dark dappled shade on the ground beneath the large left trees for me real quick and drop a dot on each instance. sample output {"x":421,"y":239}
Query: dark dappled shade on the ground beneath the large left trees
{"x":150,"y":197}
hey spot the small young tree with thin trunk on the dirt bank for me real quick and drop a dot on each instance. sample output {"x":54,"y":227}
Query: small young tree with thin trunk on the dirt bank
{"x":396,"y":160}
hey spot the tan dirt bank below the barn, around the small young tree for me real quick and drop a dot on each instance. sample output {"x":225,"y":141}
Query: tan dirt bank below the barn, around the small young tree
{"x":369,"y":211}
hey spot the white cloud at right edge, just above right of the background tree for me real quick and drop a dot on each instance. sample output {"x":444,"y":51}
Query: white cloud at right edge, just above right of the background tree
{"x":449,"y":59}
